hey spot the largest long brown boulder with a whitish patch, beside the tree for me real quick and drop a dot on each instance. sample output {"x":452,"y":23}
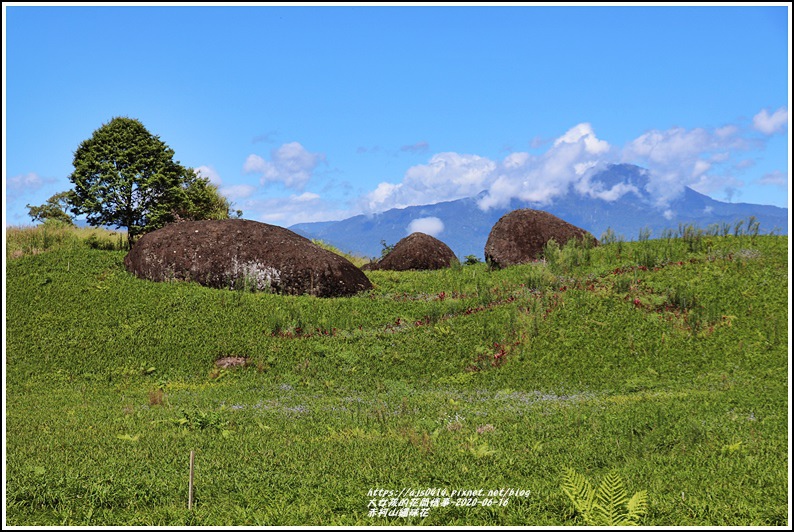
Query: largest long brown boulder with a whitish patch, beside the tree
{"x":230,"y":253}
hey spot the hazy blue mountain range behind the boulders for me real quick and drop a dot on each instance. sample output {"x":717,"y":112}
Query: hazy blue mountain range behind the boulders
{"x":466,"y":226}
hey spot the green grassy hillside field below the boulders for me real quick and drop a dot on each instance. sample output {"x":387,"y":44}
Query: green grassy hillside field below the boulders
{"x":663,"y":363}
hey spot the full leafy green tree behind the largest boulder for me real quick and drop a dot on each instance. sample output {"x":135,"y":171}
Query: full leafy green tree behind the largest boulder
{"x":127,"y":177}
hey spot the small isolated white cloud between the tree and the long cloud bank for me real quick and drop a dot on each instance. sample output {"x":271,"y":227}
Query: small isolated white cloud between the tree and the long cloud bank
{"x":290,"y":164}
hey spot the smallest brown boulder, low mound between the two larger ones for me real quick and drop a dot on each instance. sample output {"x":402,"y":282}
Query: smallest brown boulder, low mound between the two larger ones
{"x":417,"y":251}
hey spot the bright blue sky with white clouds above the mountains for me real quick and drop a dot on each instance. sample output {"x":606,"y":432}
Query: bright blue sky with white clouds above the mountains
{"x":304,"y":113}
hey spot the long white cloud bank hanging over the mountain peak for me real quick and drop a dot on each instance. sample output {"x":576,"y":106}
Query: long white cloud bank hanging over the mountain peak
{"x":704,"y":159}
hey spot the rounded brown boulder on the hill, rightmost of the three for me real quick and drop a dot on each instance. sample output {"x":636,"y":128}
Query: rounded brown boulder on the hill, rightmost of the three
{"x":519,"y":236}
